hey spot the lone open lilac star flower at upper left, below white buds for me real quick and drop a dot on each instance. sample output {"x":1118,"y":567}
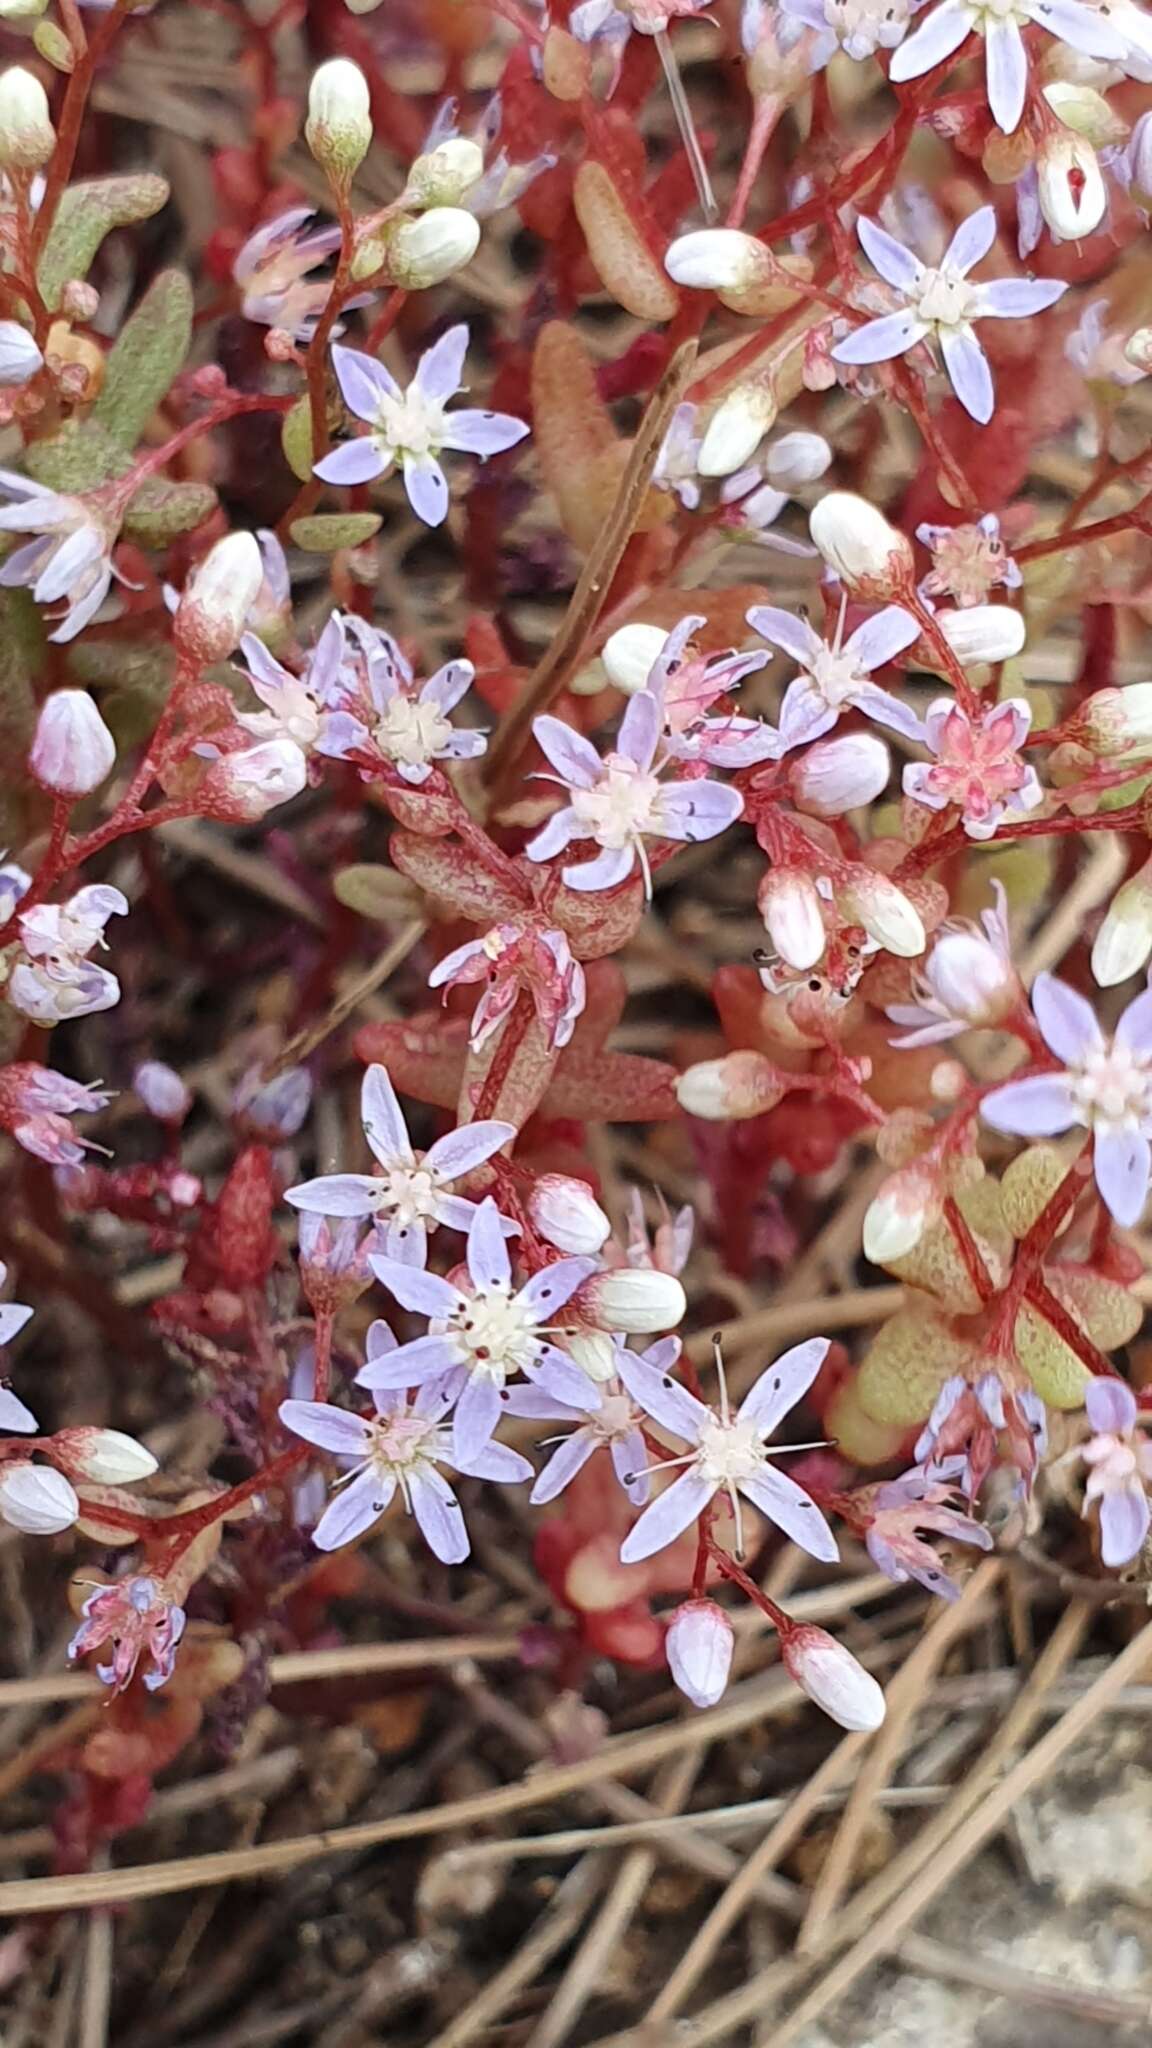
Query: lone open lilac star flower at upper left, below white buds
{"x":413,"y":427}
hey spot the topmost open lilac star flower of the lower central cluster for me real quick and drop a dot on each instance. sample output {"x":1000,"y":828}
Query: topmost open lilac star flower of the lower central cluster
{"x":413,"y":1195}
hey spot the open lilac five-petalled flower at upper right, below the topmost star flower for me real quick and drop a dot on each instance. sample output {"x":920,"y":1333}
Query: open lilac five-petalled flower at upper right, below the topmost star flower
{"x":940,"y":304}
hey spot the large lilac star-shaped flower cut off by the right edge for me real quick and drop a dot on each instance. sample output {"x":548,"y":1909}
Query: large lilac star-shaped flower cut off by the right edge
{"x":1104,"y":1084}
